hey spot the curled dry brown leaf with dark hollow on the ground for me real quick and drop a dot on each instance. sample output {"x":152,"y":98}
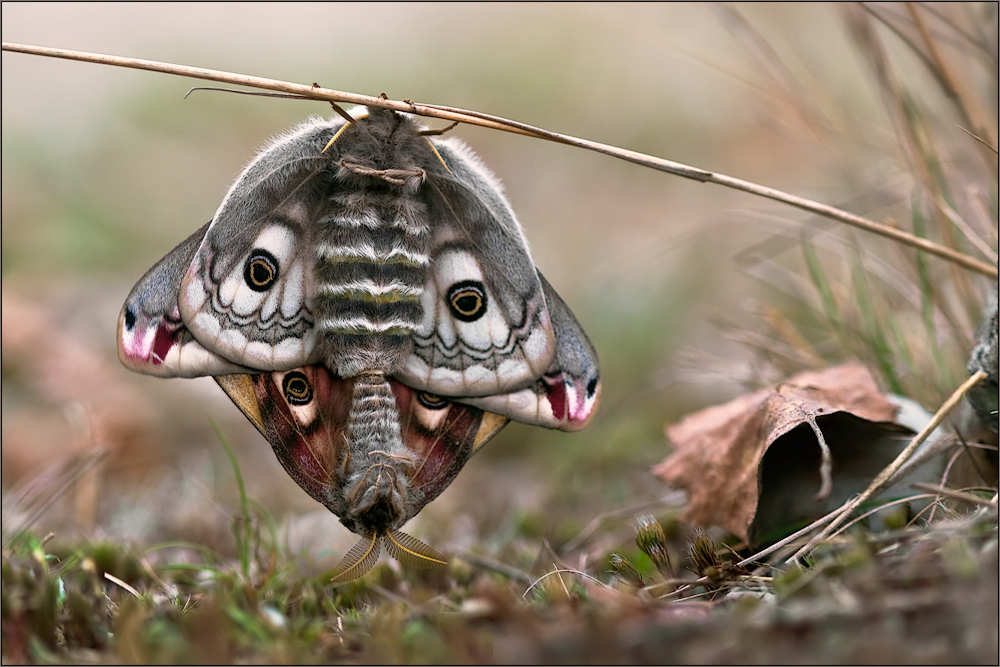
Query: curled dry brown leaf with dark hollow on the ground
{"x":719,"y":452}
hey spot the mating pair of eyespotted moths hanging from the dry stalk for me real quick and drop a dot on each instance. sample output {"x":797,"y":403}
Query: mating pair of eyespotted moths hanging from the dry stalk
{"x":365,"y":295}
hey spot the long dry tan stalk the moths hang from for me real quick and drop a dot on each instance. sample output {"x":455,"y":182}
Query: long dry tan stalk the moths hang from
{"x":498,"y":123}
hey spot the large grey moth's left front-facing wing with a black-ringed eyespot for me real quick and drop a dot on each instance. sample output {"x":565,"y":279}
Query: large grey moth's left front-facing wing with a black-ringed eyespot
{"x":247,"y":294}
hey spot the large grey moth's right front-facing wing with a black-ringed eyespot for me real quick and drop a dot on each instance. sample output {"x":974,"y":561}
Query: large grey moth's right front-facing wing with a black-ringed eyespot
{"x":486,"y":327}
